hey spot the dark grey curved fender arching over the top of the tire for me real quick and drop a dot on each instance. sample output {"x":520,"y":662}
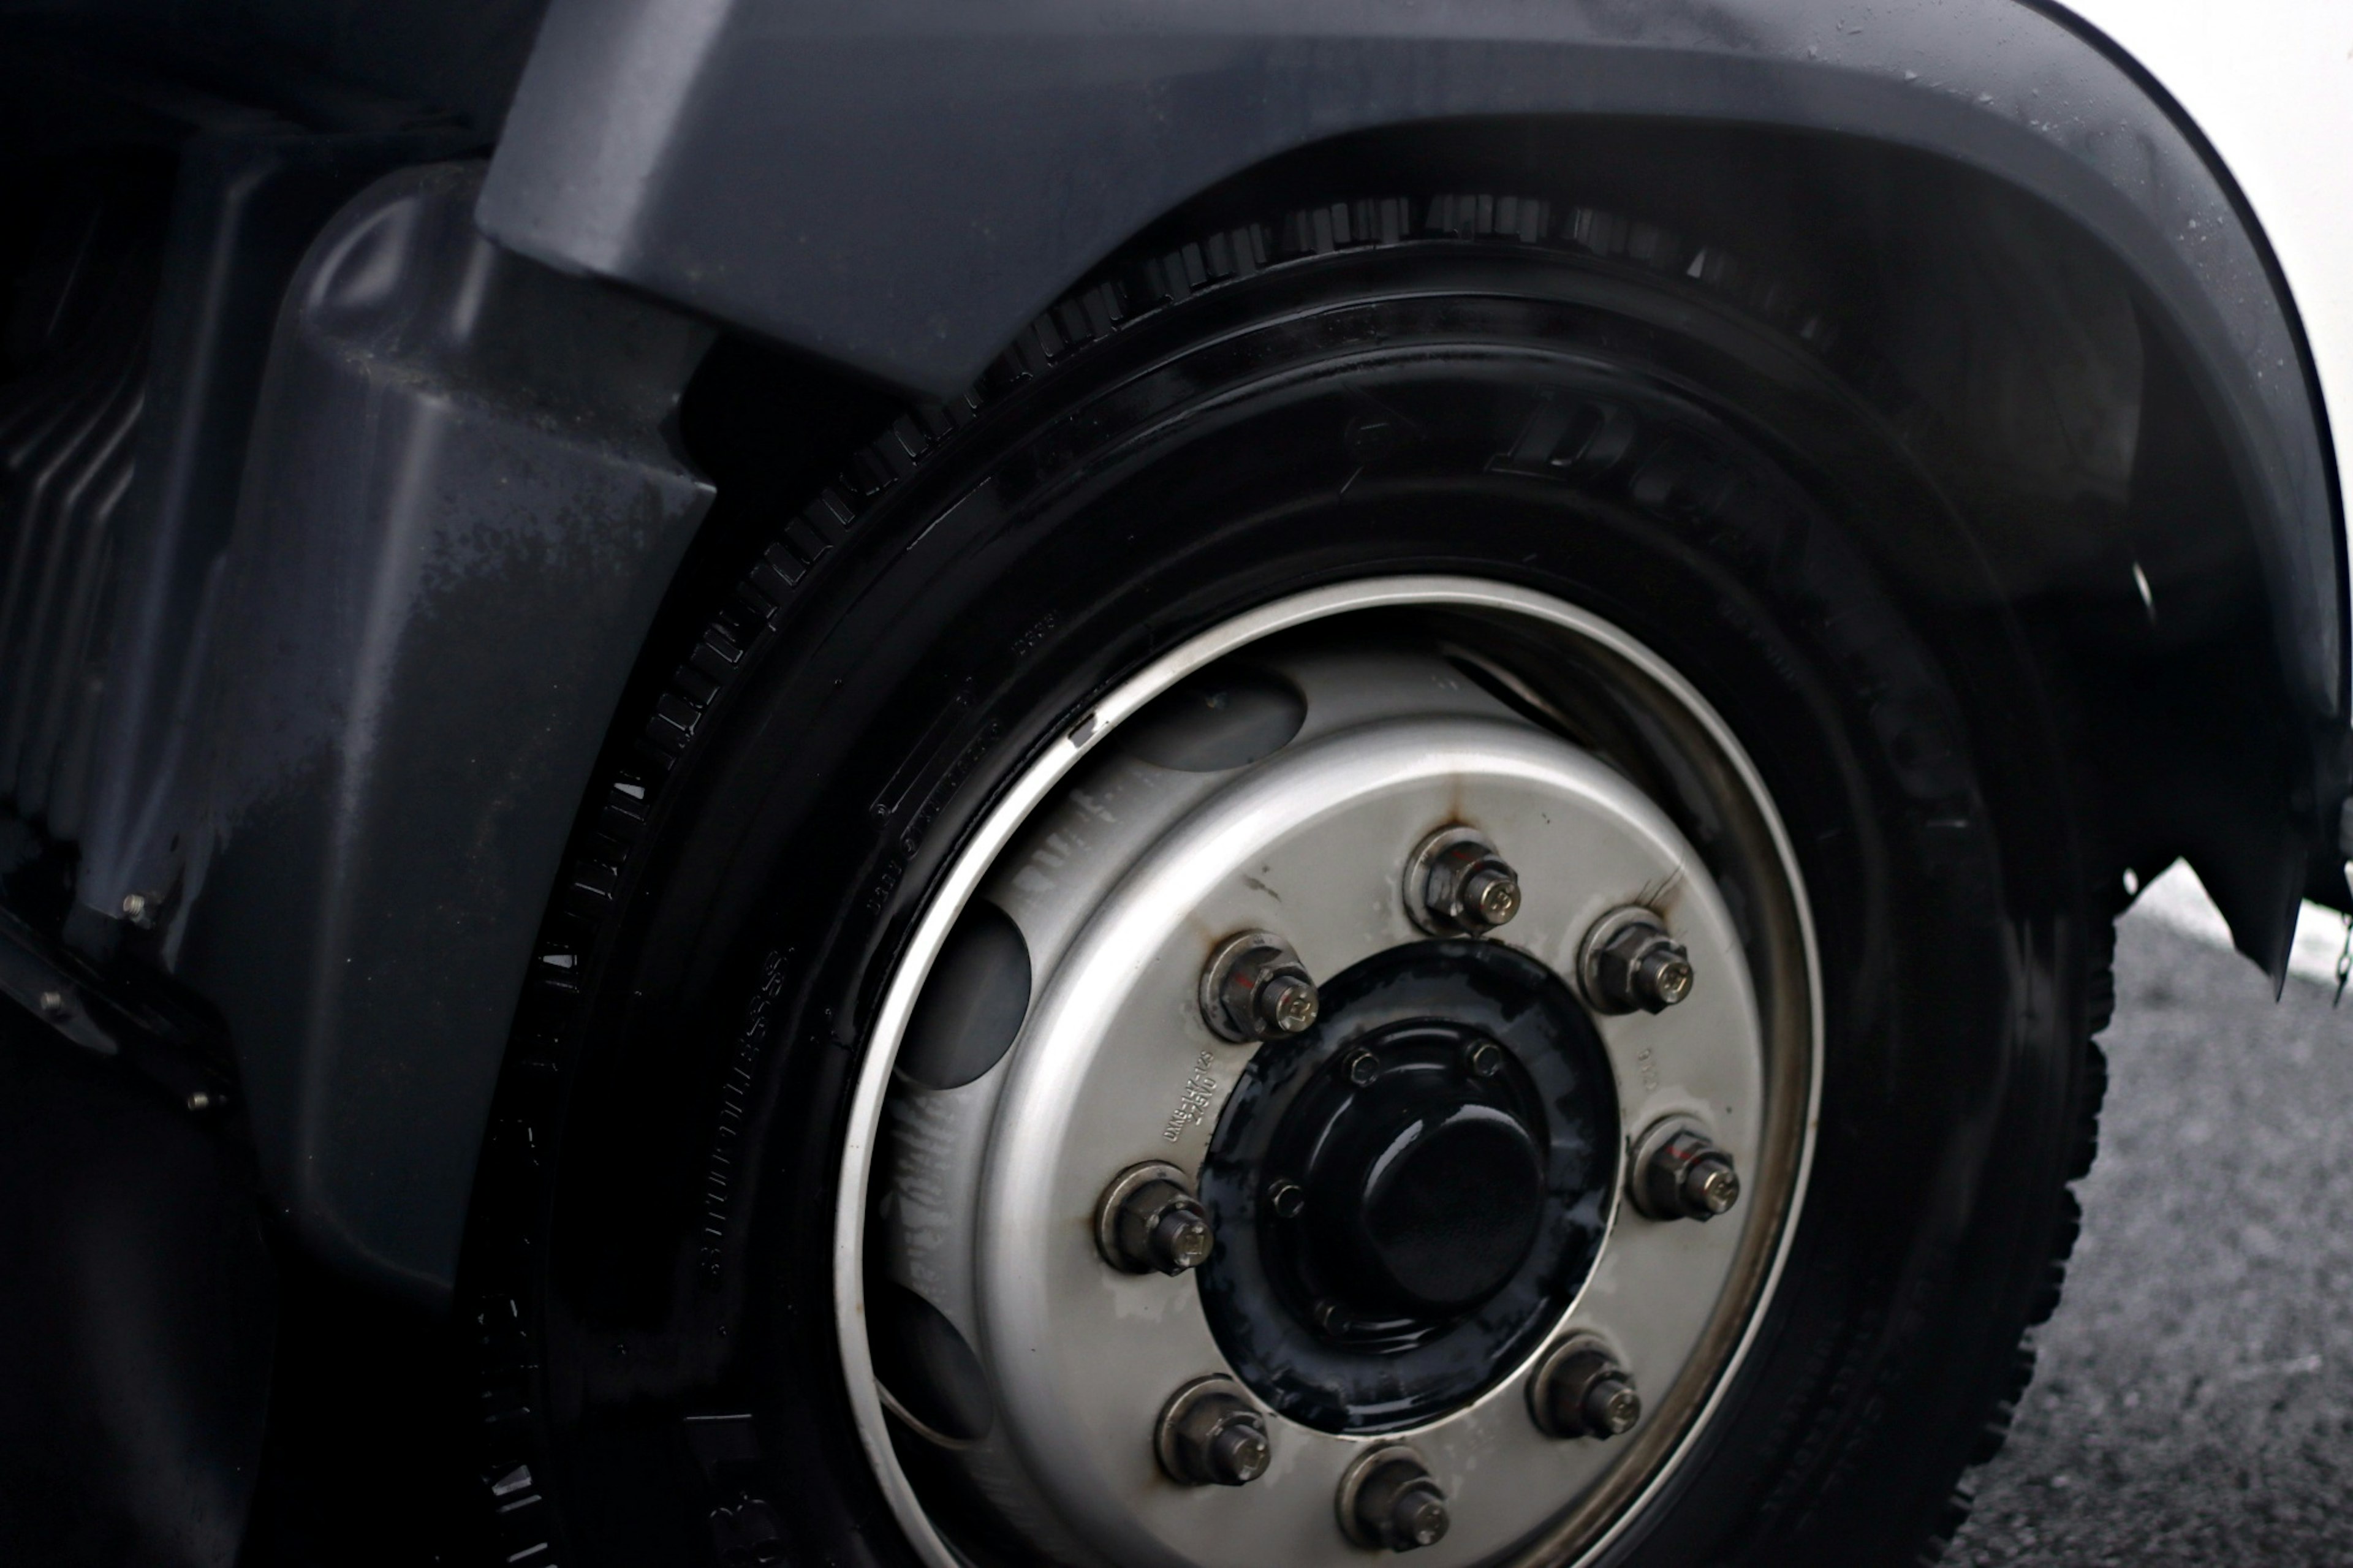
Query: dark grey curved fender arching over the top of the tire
{"x":902,"y":185}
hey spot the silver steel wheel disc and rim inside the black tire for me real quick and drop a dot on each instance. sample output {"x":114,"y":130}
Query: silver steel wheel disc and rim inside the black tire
{"x":1046,"y":1032}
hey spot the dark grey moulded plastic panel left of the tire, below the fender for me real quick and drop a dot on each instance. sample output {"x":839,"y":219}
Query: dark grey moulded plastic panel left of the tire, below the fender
{"x":460,"y":519}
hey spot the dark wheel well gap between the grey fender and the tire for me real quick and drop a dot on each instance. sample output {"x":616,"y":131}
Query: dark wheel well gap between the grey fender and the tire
{"x":2018,"y":359}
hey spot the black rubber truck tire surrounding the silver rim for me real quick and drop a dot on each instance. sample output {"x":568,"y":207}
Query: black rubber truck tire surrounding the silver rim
{"x":1371,"y":387}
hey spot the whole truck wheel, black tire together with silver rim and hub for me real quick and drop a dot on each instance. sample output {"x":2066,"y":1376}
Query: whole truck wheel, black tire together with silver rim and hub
{"x":1345,"y":912}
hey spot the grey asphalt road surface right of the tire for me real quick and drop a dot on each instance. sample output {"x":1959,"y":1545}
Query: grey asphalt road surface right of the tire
{"x":2194,"y":1400}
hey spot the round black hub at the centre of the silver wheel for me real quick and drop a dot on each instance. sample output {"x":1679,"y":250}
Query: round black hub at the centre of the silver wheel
{"x":1411,"y":1195}
